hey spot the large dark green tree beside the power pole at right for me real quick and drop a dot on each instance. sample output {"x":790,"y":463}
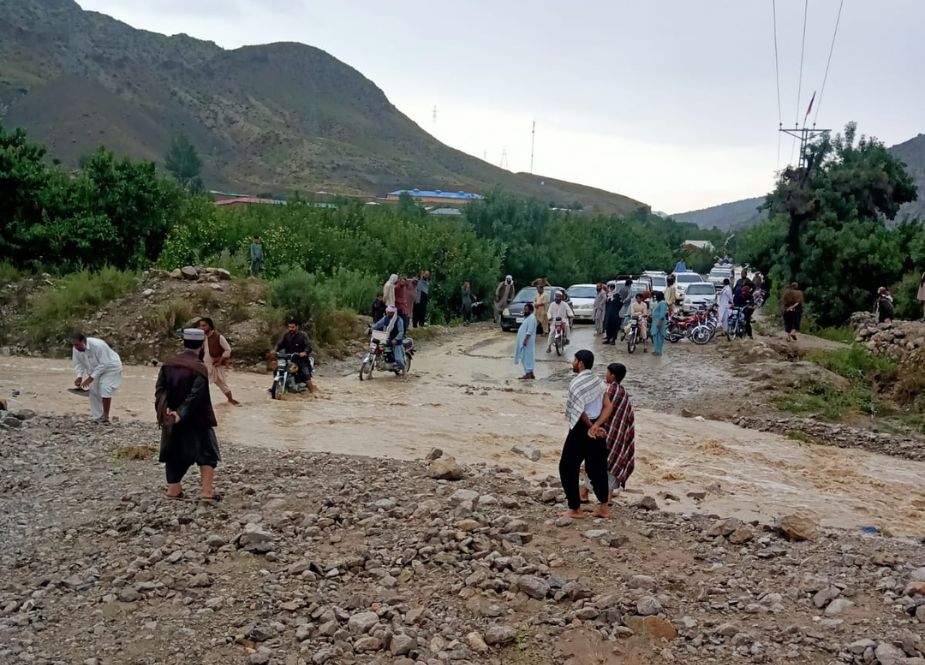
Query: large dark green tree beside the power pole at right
{"x":827,"y":228}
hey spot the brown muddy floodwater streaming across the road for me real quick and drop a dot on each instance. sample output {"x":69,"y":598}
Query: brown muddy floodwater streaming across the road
{"x":464,"y":397}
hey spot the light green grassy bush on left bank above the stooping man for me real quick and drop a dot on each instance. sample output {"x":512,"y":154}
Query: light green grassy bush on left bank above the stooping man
{"x":55,"y":312}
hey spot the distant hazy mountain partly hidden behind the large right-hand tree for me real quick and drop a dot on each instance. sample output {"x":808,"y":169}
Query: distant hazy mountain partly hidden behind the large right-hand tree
{"x":744,"y":213}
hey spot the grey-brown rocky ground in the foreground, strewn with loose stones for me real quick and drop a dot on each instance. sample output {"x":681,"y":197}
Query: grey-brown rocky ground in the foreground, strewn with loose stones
{"x":320,"y":558}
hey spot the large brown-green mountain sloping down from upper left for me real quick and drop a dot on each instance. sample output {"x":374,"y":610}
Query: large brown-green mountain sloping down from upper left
{"x":275,"y":118}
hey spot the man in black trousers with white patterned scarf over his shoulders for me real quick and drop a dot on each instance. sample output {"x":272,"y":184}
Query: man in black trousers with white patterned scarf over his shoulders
{"x":585,"y":404}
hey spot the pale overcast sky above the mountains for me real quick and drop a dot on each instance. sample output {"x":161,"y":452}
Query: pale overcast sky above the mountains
{"x":671,"y":102}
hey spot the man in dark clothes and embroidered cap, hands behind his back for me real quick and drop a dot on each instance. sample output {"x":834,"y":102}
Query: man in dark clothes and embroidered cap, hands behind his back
{"x":184,"y":412}
